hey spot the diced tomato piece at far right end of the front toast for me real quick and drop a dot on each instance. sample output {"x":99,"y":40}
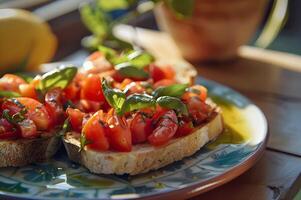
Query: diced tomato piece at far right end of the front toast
{"x":198,"y":110}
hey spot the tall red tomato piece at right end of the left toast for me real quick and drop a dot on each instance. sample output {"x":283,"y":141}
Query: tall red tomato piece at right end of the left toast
{"x":54,"y":106}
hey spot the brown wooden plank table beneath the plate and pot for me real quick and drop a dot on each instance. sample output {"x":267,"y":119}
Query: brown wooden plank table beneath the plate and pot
{"x":270,"y":79}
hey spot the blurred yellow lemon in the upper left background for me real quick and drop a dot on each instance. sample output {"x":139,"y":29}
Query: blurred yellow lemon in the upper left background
{"x":25,"y":41}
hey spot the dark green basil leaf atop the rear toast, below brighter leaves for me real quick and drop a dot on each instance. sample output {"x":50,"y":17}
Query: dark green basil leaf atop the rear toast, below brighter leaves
{"x":129,"y":71}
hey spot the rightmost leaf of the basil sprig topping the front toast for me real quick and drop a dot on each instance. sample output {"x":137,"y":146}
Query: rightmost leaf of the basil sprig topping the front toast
{"x":173,"y":103}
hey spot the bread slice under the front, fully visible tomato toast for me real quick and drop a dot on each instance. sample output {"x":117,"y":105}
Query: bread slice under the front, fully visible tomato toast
{"x":143,"y":157}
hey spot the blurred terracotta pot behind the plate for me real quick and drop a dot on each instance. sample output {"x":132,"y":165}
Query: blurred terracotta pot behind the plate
{"x":216,"y":29}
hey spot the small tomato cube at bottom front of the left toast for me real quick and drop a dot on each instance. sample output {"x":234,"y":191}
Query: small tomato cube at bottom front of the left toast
{"x":28,"y":129}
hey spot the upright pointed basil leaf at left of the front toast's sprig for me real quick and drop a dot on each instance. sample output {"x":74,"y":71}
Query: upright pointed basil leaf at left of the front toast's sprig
{"x":114,"y":97}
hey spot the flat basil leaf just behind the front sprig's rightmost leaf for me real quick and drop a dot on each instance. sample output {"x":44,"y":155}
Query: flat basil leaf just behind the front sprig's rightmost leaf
{"x":176,"y":90}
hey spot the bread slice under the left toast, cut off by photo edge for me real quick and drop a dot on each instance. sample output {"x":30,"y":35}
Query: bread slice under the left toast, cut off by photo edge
{"x":20,"y":152}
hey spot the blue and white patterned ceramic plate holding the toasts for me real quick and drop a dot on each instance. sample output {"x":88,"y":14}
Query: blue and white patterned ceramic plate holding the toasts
{"x":235,"y":151}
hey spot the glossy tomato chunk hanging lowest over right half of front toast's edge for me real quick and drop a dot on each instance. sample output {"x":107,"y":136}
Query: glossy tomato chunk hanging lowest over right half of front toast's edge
{"x":166,"y":128}
